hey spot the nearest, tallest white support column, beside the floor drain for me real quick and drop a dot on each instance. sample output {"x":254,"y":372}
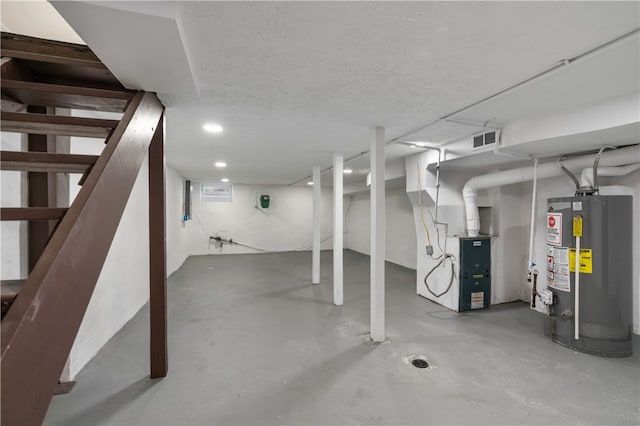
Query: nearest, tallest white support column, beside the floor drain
{"x":377,"y":235}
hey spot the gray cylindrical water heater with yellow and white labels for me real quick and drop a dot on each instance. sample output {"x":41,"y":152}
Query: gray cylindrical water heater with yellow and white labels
{"x":589,"y":272}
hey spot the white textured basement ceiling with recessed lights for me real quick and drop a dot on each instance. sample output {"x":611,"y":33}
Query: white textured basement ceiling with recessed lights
{"x":292,"y":82}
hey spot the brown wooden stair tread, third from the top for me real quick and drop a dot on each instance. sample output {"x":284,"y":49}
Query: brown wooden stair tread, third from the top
{"x":45,"y":124}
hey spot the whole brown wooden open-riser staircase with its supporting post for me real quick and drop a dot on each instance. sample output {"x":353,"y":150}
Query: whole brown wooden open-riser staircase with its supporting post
{"x":67,"y":245}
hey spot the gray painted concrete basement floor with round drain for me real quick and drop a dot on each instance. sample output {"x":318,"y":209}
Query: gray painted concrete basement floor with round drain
{"x":253,"y":343}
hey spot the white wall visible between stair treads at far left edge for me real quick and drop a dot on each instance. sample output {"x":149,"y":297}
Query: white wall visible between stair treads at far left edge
{"x":11,"y":233}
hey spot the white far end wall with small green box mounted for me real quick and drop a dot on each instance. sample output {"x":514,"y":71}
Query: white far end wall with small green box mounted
{"x":285,"y":226}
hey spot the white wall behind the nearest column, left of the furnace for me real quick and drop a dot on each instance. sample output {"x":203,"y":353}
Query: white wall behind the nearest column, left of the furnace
{"x":400,"y":231}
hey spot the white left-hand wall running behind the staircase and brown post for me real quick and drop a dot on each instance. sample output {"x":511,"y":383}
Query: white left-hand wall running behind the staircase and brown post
{"x":123,"y":286}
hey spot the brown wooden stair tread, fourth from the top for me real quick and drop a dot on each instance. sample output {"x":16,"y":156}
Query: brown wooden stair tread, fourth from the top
{"x":45,"y":162}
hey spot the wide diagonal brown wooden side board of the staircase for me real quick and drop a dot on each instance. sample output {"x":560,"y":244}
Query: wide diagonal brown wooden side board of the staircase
{"x":39,"y":329}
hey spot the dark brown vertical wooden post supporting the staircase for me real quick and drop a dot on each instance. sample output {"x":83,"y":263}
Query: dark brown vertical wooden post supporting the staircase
{"x":157,"y":255}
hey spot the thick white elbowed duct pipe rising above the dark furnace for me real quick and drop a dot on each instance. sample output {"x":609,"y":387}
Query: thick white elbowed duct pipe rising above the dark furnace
{"x":618,"y":157}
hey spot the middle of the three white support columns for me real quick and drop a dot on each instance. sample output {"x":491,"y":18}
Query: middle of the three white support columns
{"x":338,"y":292}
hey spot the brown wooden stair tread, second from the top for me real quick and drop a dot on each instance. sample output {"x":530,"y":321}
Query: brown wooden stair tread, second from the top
{"x":31,"y":93}
